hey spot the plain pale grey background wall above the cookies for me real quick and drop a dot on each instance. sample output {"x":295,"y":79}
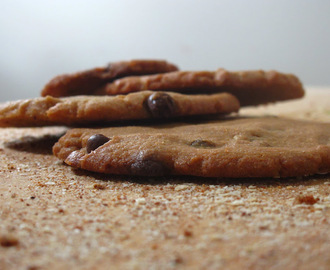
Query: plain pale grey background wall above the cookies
{"x":41,"y":39}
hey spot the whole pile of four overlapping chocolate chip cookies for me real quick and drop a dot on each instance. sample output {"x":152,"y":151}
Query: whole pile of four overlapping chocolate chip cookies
{"x":145,"y":117}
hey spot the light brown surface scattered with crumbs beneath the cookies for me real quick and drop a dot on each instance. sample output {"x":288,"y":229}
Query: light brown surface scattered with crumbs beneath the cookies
{"x":55,"y":217}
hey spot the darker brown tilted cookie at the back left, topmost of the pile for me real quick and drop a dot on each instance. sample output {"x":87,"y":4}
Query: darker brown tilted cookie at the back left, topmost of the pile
{"x":85,"y":82}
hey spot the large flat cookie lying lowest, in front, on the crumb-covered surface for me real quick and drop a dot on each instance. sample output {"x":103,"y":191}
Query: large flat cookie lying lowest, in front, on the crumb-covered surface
{"x":236,"y":147}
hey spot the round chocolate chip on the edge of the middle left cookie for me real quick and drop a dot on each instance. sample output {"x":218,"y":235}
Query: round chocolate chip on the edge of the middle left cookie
{"x":161,"y":105}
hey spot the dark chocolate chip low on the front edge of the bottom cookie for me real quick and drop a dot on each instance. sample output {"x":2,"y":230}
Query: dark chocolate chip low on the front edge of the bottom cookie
{"x":148,"y":167}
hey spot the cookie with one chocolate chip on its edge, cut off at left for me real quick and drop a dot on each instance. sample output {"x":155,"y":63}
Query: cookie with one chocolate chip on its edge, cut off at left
{"x":84,"y":110}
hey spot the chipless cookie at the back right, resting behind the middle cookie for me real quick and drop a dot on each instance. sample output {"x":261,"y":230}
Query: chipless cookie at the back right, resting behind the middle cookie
{"x":250,"y":87}
